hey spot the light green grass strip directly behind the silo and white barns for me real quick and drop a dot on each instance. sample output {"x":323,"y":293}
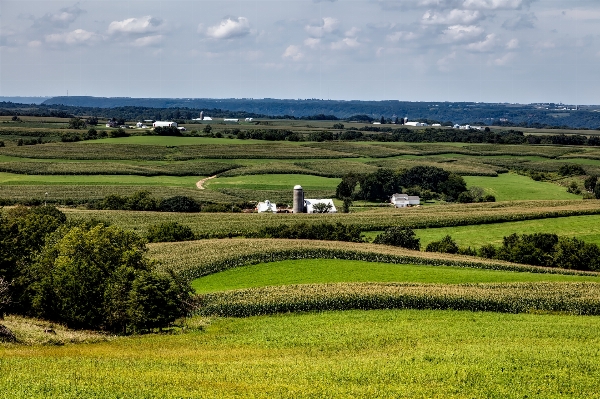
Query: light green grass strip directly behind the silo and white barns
{"x":274,"y":182}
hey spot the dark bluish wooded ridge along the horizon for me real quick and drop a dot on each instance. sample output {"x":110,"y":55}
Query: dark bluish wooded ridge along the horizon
{"x":515,"y":115}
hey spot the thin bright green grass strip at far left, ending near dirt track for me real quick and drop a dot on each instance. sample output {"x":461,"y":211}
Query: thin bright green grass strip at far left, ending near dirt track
{"x":18,"y":179}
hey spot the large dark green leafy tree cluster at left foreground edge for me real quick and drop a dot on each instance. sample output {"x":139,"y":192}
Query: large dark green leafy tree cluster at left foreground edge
{"x":86,"y":275}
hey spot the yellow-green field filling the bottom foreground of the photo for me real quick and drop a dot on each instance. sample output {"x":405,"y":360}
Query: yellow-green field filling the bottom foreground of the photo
{"x":376,"y":354}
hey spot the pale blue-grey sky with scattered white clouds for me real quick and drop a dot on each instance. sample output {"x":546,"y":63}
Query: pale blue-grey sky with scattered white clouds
{"x":516,"y":51}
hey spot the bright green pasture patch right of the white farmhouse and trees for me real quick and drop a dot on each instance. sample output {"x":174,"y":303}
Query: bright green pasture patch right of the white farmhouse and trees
{"x":513,"y":187}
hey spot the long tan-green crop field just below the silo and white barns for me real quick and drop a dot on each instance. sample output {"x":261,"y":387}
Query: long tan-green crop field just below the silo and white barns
{"x":373,"y":219}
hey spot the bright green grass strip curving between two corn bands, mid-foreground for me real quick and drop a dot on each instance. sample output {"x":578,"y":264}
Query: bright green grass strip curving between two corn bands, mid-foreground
{"x":316,"y":271}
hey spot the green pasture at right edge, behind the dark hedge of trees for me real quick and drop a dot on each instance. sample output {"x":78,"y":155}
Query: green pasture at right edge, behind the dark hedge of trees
{"x":586,"y":228}
